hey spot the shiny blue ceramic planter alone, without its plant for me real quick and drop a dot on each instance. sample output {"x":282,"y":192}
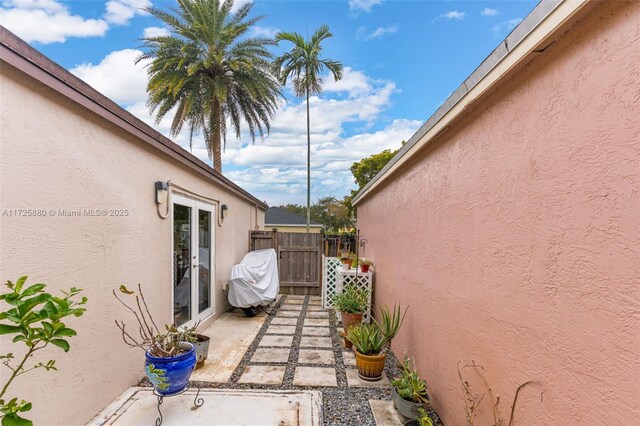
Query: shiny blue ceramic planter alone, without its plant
{"x":171,"y":375}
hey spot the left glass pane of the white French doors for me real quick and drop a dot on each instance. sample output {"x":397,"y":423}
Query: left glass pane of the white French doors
{"x":181,"y":263}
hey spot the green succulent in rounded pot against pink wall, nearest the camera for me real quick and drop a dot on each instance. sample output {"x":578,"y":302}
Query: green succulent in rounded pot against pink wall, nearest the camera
{"x":409,"y":391}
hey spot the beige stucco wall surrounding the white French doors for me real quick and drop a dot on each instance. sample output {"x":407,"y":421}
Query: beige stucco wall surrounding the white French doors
{"x":56,"y":155}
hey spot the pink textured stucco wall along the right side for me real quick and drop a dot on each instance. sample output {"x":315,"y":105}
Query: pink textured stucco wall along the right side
{"x":515,"y":237}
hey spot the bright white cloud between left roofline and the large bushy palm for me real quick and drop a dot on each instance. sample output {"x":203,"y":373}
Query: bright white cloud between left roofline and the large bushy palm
{"x":117,"y":77}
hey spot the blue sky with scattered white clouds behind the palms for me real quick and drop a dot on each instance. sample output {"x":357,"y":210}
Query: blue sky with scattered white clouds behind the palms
{"x":402,"y":60}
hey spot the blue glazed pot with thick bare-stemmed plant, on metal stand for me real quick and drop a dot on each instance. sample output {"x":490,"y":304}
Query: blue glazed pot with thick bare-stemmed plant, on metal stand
{"x":169,"y":357}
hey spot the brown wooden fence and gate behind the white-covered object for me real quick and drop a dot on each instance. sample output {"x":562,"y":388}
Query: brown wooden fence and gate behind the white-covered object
{"x":299,"y":259}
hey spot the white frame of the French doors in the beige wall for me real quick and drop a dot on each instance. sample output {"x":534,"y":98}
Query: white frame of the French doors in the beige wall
{"x":195,"y":205}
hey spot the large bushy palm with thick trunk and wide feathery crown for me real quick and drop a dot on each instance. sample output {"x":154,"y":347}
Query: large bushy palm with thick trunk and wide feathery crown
{"x":211,"y":73}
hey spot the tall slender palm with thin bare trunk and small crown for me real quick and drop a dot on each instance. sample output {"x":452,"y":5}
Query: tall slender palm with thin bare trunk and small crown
{"x":304,"y":65}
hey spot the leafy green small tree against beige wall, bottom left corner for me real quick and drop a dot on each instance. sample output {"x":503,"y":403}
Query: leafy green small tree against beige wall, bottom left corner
{"x":35,"y":320}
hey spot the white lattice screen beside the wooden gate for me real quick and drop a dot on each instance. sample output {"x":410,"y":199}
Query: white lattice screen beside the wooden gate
{"x":334,"y":279}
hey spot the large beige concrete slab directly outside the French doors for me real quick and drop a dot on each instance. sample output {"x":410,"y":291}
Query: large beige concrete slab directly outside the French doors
{"x":230,"y":335}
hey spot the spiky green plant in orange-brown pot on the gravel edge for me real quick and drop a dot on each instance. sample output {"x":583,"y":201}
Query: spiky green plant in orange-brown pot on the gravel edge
{"x":372,"y":342}
